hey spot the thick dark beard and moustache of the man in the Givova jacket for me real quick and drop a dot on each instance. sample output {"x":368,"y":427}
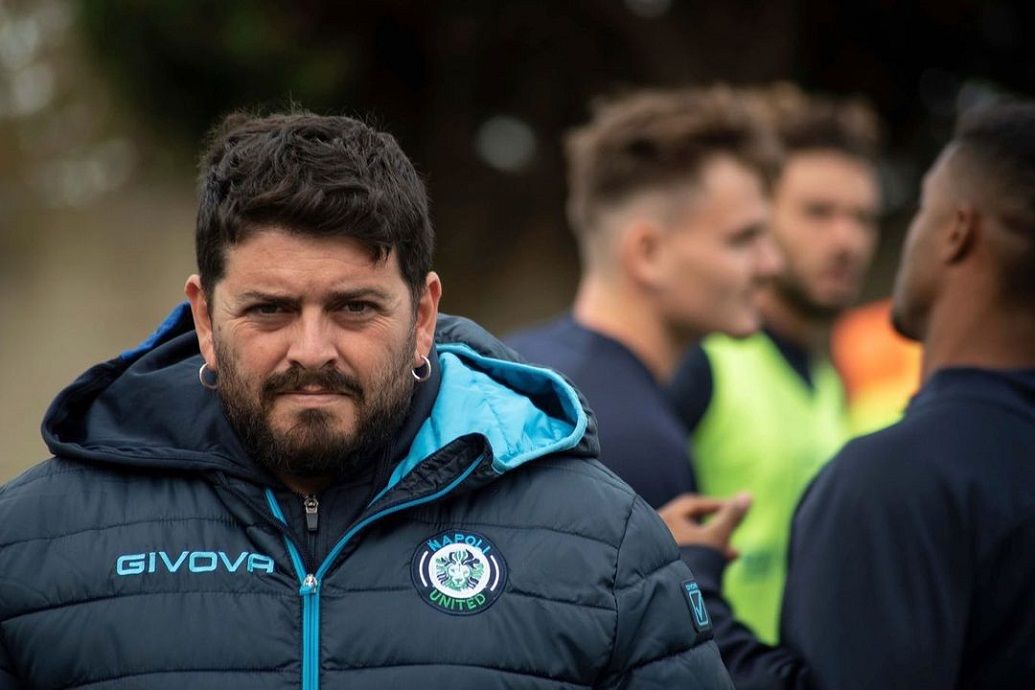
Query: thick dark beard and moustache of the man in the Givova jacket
{"x":311,"y":448}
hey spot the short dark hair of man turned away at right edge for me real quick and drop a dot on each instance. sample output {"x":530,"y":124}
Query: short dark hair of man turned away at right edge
{"x":997,"y":147}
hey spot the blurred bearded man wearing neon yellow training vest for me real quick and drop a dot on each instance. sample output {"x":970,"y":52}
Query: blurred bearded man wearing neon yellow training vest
{"x":766,"y":412}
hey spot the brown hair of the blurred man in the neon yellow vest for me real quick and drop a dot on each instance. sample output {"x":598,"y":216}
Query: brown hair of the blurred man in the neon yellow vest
{"x":806,"y":123}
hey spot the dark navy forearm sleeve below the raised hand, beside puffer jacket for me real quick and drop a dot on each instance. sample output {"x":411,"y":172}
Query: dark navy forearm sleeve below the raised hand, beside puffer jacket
{"x":753,"y":665}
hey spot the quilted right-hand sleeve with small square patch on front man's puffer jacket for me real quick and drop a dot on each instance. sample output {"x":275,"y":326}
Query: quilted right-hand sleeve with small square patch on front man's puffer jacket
{"x":659,"y":641}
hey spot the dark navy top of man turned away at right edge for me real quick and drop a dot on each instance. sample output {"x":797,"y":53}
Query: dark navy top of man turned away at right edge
{"x":913,"y":553}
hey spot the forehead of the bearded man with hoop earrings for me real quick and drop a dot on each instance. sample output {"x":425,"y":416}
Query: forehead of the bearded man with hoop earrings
{"x":278,"y":261}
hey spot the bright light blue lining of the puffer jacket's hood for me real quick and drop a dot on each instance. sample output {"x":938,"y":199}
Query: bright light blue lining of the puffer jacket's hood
{"x":494,"y":398}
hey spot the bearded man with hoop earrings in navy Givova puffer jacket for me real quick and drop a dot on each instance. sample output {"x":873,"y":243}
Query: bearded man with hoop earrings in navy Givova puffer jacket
{"x":308,"y":477}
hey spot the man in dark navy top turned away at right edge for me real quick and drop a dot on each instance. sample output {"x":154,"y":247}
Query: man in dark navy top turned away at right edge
{"x":913,"y":553}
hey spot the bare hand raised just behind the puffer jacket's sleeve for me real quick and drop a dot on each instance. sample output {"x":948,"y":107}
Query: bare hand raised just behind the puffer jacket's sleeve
{"x":684,"y":516}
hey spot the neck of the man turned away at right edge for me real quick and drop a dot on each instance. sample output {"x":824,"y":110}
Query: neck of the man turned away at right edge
{"x":963,"y":334}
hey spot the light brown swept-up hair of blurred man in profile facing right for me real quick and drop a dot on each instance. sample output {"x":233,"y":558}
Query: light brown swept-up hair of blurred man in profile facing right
{"x":657,"y":140}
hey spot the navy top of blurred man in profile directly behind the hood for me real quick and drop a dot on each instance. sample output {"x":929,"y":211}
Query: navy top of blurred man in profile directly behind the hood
{"x":641,"y":438}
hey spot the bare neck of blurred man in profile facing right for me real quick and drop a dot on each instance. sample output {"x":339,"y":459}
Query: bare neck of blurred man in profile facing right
{"x":629,"y":318}
